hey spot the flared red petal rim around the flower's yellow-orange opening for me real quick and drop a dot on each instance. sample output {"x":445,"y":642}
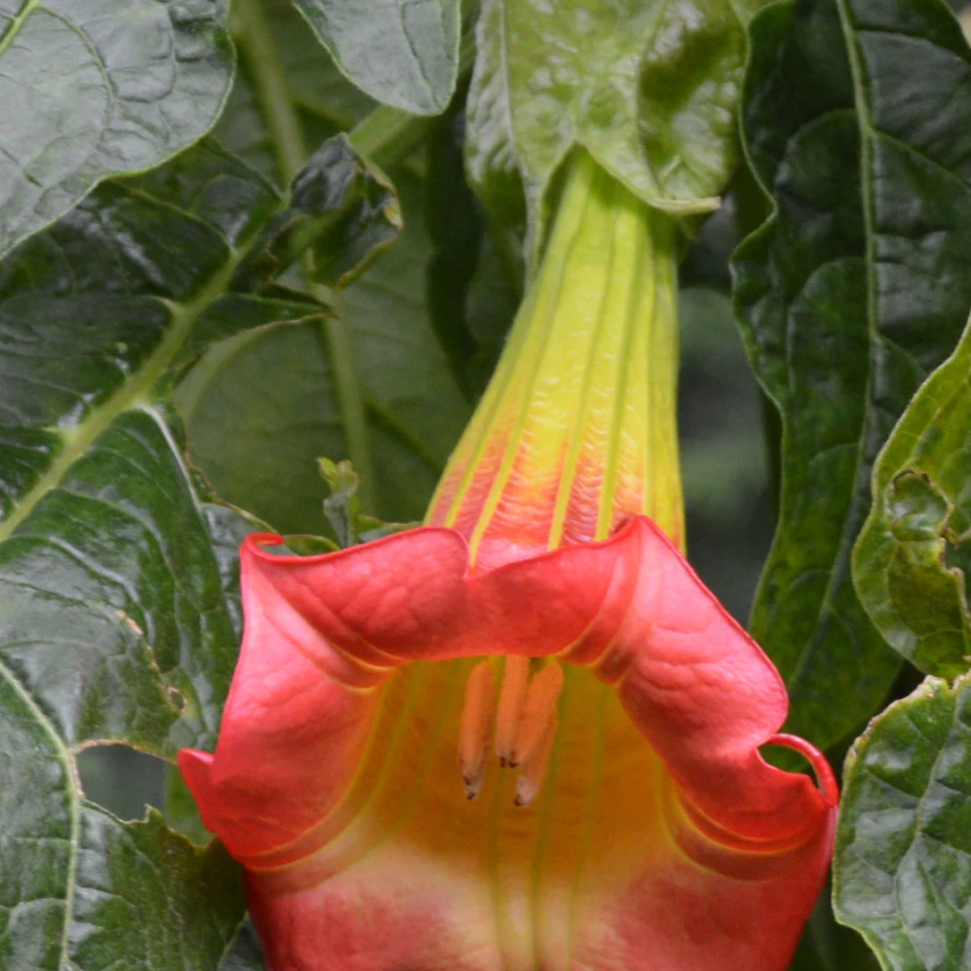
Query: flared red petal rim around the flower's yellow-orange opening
{"x":737,"y":851}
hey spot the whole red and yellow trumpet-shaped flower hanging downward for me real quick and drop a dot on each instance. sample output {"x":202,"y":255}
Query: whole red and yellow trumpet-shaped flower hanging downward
{"x":542,"y":621}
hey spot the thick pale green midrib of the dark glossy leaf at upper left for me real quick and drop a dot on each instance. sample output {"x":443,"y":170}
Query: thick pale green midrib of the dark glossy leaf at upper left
{"x":131,"y":394}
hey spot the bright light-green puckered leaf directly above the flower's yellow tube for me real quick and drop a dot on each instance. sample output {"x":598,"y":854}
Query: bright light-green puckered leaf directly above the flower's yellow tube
{"x":649,"y":89}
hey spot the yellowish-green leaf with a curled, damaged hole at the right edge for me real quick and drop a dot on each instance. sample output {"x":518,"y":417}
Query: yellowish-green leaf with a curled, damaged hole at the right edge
{"x":909,"y":563}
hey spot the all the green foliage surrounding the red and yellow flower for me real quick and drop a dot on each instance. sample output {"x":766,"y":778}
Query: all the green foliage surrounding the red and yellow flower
{"x":317,"y":218}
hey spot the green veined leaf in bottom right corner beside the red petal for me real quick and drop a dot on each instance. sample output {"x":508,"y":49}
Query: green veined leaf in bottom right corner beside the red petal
{"x":903,"y":850}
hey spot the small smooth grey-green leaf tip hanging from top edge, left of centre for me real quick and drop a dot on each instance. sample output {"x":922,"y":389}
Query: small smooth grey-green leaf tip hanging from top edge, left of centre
{"x":401,"y":54}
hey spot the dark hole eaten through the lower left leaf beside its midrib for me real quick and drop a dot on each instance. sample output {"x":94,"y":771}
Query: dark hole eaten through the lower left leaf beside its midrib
{"x":121,"y":779}
